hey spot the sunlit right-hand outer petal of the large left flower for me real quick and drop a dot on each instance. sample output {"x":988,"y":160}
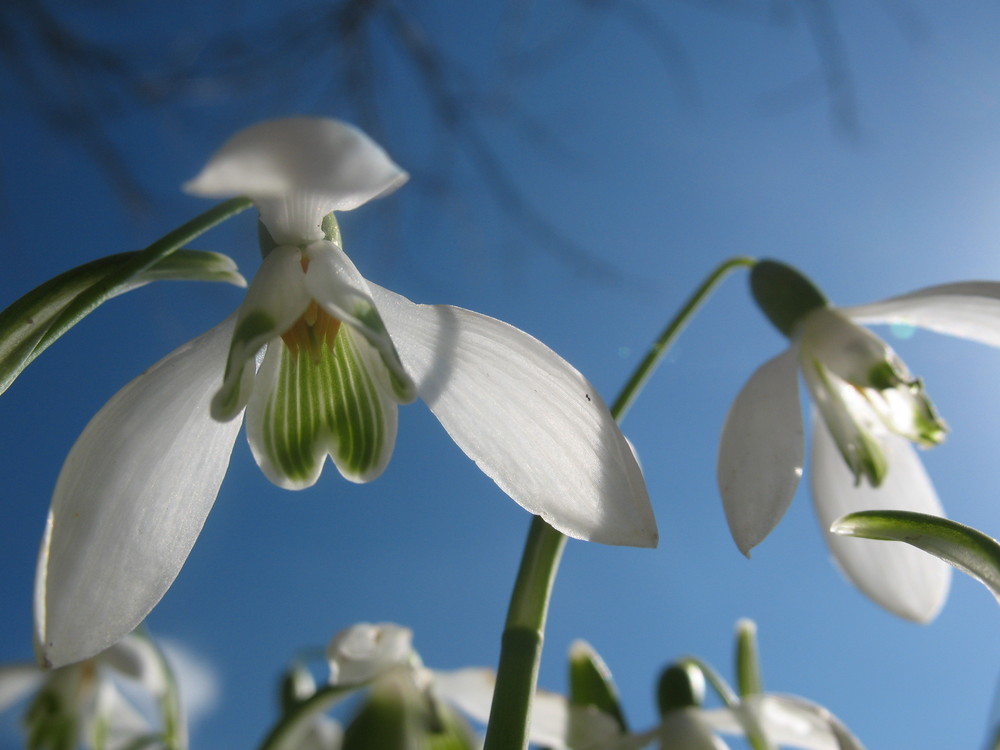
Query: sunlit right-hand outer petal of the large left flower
{"x":528,"y":419}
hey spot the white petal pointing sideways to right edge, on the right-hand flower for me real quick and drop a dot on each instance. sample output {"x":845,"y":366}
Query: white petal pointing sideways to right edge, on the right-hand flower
{"x":969,"y":309}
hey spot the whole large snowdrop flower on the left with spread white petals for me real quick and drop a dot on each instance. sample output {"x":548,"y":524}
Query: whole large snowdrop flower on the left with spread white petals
{"x":339,"y":354}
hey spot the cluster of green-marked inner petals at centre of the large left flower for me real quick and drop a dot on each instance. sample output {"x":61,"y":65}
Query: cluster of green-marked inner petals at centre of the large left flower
{"x":330,"y":380}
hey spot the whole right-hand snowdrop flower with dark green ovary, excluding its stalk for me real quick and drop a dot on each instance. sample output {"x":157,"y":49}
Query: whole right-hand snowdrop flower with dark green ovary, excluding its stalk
{"x":868,"y":410}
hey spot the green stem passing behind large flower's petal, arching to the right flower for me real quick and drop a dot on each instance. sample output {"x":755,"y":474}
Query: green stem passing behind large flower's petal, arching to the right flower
{"x":524,"y":630}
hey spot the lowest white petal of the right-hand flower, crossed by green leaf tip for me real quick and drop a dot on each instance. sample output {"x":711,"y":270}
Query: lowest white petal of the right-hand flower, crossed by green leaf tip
{"x":904,"y":580}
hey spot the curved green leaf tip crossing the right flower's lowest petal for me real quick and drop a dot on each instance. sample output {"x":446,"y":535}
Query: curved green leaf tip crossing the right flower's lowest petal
{"x":964,"y":547}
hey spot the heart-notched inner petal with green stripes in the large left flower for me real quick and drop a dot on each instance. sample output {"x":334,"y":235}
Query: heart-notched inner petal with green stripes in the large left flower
{"x":331,"y":400}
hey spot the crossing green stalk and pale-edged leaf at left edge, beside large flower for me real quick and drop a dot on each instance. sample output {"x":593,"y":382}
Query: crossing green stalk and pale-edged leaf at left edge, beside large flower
{"x":40,"y":317}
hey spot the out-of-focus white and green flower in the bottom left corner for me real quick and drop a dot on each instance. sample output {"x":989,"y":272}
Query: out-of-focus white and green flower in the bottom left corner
{"x":84,"y":705}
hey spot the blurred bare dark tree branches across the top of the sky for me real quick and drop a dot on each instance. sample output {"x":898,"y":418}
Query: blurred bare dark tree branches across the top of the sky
{"x":344,"y":53}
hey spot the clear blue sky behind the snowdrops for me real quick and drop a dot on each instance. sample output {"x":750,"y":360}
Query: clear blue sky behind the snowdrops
{"x":651,"y":185}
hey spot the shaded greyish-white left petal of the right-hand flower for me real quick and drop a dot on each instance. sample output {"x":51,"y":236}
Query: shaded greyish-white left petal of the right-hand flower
{"x":761,"y":451}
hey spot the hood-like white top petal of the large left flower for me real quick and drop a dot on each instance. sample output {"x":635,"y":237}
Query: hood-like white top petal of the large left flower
{"x":297,"y":170}
